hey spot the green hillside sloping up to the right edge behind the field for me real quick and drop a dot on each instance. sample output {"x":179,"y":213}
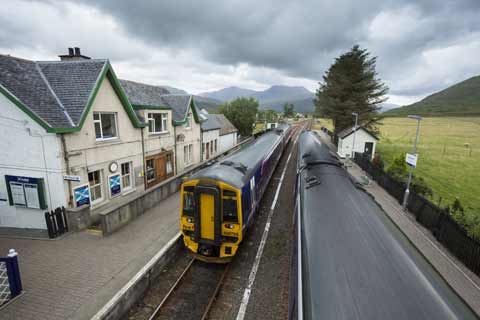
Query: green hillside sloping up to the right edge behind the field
{"x":460,"y":99}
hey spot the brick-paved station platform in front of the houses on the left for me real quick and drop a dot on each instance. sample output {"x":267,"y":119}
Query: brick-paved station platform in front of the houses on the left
{"x":74,"y":277}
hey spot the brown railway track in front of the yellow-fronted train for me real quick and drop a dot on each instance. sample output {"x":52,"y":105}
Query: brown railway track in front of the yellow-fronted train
{"x":194,"y":292}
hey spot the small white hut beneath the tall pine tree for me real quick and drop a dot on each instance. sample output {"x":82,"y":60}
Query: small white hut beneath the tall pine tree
{"x":365,"y":142}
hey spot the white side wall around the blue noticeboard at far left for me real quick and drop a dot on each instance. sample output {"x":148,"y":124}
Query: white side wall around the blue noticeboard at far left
{"x":28,"y":150}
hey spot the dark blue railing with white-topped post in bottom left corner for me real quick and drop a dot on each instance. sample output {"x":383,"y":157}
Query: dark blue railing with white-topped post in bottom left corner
{"x":10,"y":282}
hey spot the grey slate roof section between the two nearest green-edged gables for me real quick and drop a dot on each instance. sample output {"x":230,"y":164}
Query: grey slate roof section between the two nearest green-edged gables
{"x":141,"y":94}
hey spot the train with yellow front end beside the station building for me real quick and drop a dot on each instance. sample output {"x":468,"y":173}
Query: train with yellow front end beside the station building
{"x":219,"y":203}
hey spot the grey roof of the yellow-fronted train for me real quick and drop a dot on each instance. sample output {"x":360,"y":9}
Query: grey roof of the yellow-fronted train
{"x":237,"y":168}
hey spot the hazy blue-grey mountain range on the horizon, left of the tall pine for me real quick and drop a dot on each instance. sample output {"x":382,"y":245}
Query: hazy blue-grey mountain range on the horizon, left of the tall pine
{"x":272,"y":98}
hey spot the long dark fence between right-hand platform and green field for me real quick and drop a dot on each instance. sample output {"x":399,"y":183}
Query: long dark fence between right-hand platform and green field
{"x":446,"y":230}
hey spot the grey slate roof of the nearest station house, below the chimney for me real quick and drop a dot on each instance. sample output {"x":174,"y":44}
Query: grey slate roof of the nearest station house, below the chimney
{"x":56,"y":92}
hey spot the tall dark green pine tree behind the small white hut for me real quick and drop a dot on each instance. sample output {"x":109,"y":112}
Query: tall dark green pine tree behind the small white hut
{"x":351,"y":85}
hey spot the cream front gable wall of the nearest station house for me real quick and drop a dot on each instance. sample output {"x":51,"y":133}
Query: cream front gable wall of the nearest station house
{"x":87,"y":154}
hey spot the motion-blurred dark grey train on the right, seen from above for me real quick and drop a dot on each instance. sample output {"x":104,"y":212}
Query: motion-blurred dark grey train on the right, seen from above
{"x":350,"y":261}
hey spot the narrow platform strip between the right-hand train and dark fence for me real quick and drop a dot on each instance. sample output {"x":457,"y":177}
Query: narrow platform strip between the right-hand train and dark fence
{"x":459,"y":277}
